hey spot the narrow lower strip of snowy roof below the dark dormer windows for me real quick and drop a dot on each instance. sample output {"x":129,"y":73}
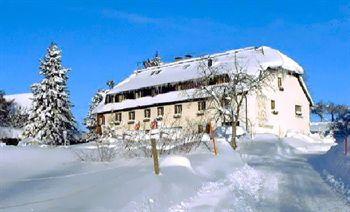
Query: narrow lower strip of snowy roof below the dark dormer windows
{"x":175,"y":96}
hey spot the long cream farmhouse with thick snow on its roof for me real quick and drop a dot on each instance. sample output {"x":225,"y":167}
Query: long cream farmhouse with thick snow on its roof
{"x":163,"y":92}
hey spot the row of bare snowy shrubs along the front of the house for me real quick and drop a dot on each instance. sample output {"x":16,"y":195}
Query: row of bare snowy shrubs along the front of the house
{"x":138,"y":143}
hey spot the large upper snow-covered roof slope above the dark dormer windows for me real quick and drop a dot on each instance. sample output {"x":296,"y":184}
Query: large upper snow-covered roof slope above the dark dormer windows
{"x":253,"y":59}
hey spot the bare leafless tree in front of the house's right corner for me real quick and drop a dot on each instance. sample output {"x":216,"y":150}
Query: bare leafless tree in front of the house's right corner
{"x":227,"y":87}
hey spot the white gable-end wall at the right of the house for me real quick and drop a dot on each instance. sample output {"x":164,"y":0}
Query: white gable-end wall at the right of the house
{"x":284,"y":118}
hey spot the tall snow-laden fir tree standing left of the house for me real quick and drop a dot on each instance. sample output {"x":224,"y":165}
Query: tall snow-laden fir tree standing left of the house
{"x":51,"y":120}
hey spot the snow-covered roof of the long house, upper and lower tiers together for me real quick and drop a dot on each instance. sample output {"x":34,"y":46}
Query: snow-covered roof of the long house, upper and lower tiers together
{"x":253,"y":59}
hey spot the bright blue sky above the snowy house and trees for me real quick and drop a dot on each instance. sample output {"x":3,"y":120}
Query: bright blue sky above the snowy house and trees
{"x":103,"y":40}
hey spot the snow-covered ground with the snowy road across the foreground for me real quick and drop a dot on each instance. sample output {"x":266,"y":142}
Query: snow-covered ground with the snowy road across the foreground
{"x":266,"y":174}
